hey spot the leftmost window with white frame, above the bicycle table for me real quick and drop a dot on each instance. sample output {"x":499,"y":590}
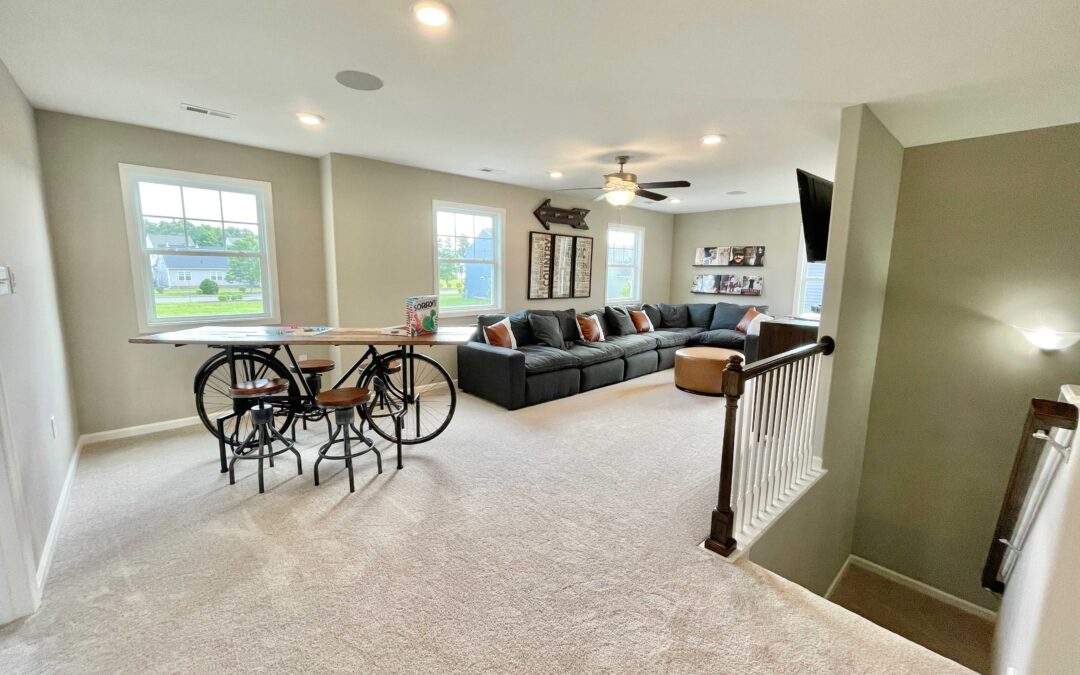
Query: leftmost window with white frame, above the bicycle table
{"x":187,"y":229}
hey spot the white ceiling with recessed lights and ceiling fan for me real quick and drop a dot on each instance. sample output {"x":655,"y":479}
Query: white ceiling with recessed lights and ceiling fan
{"x":528,"y":86}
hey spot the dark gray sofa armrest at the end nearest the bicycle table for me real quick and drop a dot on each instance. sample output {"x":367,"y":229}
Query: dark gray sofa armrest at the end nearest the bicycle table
{"x":493,"y":373}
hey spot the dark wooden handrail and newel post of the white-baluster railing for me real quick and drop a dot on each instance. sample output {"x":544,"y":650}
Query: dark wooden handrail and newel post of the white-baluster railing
{"x":721,"y":539}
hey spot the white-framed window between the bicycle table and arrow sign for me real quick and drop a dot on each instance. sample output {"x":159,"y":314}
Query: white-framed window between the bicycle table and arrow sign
{"x":468,"y":259}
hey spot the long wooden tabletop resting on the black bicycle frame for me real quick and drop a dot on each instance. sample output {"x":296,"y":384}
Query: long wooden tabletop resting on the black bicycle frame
{"x":256,"y":336}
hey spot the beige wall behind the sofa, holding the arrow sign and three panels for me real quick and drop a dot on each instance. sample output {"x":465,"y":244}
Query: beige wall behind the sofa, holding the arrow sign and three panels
{"x":384,"y":239}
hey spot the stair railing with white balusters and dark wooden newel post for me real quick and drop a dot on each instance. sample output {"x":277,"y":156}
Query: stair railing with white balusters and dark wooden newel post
{"x":768,"y":454}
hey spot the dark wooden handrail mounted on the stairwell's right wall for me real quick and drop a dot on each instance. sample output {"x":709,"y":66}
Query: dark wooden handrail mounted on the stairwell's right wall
{"x":1043,"y":416}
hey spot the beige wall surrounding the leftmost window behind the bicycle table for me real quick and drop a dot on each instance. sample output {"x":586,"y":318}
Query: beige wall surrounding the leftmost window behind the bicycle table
{"x":120,"y":385}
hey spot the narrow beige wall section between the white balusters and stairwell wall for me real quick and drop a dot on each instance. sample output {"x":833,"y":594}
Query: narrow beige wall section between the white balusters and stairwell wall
{"x":813,"y":542}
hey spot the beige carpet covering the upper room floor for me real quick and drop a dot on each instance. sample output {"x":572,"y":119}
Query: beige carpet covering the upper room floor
{"x":561,"y":538}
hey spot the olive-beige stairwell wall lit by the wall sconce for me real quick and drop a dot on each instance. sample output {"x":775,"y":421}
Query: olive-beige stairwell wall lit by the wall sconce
{"x":988,"y":236}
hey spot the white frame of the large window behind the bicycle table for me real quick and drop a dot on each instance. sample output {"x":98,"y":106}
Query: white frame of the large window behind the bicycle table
{"x":140,"y":250}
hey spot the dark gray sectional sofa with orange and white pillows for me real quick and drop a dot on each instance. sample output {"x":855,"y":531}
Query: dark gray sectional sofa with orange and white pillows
{"x":536,"y":373}
